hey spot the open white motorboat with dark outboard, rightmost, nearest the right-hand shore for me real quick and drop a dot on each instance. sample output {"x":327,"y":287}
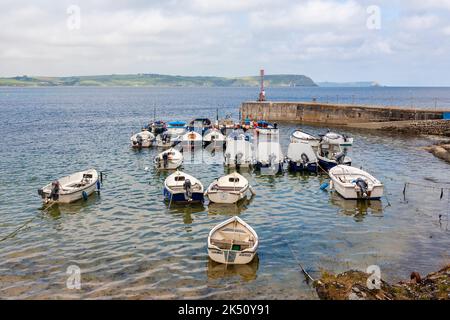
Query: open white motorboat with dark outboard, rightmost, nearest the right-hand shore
{"x":353,"y":183}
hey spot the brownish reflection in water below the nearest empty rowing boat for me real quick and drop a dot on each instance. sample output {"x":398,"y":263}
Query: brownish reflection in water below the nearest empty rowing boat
{"x":246,"y":272}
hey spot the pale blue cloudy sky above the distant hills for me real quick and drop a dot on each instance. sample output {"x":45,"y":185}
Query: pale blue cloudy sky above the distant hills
{"x":328,"y":40}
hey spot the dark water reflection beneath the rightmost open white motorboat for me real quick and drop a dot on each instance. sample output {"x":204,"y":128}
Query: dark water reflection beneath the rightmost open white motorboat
{"x":357,"y":208}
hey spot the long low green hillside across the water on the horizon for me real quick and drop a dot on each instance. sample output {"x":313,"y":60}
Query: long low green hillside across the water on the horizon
{"x":157,"y":80}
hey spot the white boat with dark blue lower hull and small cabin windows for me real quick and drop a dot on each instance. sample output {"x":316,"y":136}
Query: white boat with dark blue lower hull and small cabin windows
{"x":182,"y":187}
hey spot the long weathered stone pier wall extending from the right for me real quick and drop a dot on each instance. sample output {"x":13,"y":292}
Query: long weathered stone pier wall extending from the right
{"x":338,"y":114}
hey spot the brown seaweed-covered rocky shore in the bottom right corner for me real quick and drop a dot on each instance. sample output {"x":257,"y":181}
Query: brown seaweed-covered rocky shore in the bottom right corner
{"x":352,"y":285}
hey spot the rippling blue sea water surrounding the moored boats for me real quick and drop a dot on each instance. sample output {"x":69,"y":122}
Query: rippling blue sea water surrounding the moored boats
{"x":129,"y":244}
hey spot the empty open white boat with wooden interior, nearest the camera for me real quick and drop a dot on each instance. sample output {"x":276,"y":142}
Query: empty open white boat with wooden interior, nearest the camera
{"x":232,"y":242}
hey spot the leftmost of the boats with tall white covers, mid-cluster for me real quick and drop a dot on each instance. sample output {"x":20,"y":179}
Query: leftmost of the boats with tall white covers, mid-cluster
{"x":238,"y":153}
